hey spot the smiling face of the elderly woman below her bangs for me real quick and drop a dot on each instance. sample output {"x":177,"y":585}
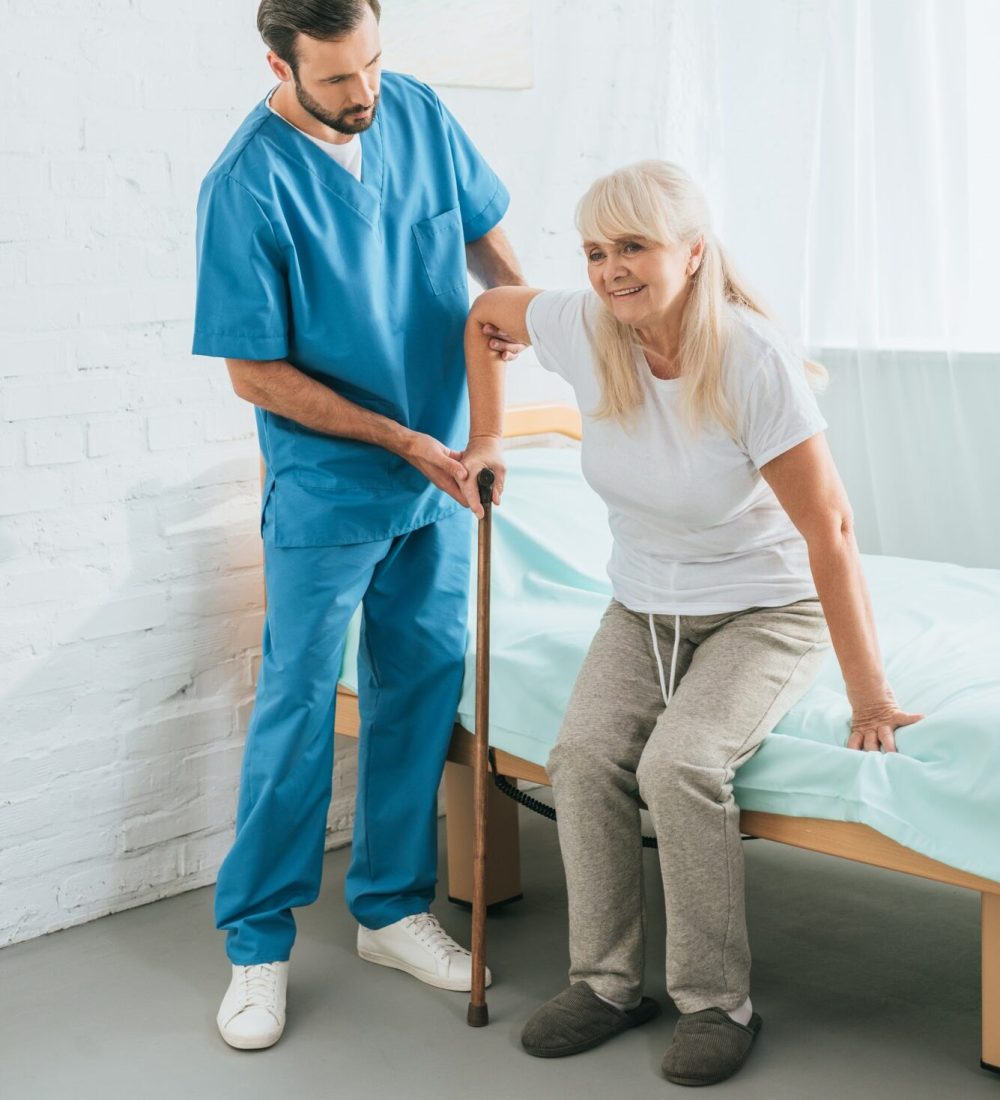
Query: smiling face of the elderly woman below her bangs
{"x":640,"y":281}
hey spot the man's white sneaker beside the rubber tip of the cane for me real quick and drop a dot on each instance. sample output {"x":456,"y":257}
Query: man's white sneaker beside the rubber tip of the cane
{"x":422,"y":948}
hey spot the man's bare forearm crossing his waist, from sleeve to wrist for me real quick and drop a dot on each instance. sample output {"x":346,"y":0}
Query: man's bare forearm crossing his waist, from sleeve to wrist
{"x":280,"y":388}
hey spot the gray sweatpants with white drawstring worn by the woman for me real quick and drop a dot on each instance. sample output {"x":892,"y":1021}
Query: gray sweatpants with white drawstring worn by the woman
{"x":738,"y":675}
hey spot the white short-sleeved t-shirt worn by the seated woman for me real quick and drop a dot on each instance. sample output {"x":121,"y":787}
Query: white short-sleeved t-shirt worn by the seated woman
{"x":697,"y":530}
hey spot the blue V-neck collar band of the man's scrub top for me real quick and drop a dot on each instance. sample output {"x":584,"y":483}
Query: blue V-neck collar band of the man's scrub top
{"x":364,"y":196}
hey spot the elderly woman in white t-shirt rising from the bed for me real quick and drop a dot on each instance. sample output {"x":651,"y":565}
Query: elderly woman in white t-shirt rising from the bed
{"x":734,"y":567}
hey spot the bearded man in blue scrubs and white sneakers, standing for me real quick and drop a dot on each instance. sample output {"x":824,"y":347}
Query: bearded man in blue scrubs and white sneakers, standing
{"x":334,"y":238}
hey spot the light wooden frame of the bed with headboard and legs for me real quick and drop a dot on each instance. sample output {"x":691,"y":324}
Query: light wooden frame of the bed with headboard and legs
{"x":850,"y":841}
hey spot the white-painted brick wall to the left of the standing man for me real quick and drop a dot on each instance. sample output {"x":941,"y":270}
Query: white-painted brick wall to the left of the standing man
{"x":130,"y":563}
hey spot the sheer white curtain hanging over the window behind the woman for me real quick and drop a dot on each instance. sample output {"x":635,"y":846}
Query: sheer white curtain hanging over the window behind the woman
{"x":880,"y":243}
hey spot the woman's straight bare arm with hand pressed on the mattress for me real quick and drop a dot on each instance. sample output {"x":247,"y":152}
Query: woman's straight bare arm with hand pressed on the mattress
{"x":808,"y":487}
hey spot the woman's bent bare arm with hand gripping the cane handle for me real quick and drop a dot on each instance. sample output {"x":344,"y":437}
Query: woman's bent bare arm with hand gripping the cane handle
{"x":506,"y":309}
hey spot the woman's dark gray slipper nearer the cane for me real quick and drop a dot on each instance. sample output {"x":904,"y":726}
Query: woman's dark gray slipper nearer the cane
{"x":577,"y":1020}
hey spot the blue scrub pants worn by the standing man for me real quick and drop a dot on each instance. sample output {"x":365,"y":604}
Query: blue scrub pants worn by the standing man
{"x":414,"y":591}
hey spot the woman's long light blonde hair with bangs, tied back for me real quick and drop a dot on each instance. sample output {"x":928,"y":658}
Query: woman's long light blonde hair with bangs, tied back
{"x":661,"y":203}
